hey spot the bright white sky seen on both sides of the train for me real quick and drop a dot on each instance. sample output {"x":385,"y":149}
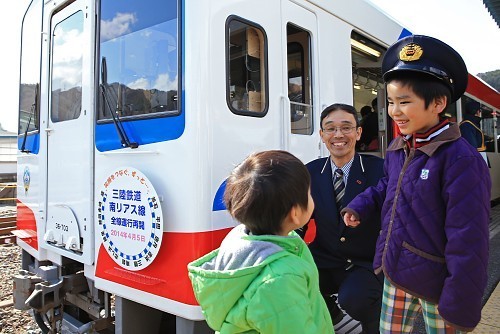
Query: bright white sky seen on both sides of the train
{"x":465,"y":25}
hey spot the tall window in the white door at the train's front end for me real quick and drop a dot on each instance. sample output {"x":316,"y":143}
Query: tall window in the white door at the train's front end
{"x":66,"y":95}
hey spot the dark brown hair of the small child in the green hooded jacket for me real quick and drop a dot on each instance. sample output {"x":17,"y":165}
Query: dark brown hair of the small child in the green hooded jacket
{"x":261,"y":191}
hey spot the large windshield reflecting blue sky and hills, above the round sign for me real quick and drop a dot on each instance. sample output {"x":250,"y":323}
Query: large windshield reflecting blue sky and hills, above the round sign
{"x":139,"y":48}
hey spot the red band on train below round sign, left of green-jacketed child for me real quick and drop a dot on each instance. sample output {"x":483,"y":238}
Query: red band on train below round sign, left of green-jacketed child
{"x":167,"y":276}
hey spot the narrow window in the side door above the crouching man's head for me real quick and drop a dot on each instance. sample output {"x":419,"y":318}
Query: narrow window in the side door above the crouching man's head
{"x":299,"y":80}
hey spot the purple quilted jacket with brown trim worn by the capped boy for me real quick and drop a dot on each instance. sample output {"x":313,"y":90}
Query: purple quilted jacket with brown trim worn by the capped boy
{"x":434,"y":240}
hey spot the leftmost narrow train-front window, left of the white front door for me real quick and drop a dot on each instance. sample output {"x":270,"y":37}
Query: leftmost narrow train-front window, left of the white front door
{"x":29,"y":90}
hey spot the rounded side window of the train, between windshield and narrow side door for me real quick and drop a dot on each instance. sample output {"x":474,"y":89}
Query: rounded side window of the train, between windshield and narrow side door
{"x":246,"y":67}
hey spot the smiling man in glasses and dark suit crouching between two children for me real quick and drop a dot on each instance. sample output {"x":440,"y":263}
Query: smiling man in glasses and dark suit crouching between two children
{"x":344,"y":256}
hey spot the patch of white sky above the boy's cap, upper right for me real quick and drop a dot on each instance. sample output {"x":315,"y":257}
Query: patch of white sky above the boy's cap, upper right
{"x":465,"y":25}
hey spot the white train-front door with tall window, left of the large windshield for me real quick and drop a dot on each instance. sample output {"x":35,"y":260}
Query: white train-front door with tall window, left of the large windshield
{"x":70,"y":135}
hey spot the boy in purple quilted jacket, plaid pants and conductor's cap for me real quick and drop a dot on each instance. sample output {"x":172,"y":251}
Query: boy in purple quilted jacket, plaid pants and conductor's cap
{"x":435,"y":196}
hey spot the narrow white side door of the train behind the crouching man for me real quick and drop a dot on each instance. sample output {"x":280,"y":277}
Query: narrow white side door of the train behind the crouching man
{"x":299,"y":35}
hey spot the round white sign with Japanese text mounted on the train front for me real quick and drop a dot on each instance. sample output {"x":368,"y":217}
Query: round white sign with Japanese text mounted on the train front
{"x":130,"y":218}
